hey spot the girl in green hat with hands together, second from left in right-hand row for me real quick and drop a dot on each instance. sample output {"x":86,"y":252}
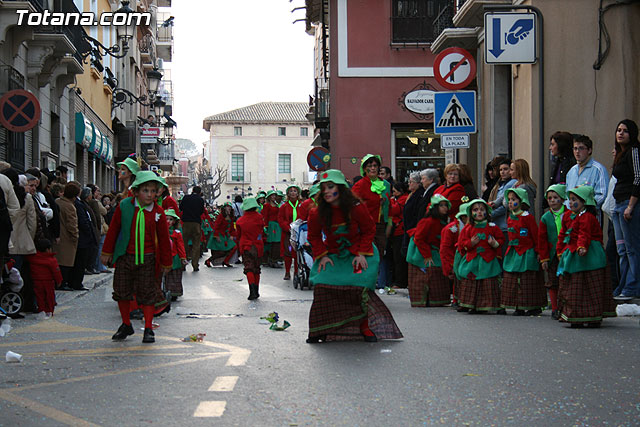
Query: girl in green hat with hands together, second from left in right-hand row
{"x":479,"y":269}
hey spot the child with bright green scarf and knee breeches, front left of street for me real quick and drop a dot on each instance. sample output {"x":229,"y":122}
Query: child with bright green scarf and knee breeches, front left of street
{"x":137,"y":240}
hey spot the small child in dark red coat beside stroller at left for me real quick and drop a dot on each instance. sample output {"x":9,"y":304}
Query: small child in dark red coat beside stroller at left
{"x":46,"y":276}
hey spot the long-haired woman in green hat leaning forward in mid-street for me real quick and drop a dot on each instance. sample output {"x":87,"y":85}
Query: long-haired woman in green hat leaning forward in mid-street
{"x":345,"y":269}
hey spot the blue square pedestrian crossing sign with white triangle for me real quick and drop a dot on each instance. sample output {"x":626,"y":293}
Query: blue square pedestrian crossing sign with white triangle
{"x":455,"y":112}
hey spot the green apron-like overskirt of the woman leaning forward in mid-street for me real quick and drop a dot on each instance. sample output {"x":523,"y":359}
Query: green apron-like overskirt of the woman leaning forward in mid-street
{"x":341,"y":272}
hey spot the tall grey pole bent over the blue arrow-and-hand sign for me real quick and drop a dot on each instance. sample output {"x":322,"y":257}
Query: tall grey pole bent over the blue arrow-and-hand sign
{"x":543,"y":151}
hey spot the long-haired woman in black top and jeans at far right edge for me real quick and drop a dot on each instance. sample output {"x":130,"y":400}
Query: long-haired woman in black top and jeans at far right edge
{"x":626,"y":214}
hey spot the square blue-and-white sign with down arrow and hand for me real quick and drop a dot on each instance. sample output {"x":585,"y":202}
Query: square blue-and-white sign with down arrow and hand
{"x":510,"y":38}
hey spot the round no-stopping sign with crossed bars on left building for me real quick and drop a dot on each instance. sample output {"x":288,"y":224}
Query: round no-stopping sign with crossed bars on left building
{"x":19,"y":110}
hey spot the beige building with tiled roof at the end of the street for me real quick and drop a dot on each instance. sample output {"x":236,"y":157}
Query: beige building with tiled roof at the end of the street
{"x":263,"y":146}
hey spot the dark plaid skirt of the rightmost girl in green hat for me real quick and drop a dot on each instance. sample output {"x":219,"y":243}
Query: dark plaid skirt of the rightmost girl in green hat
{"x":586,"y":296}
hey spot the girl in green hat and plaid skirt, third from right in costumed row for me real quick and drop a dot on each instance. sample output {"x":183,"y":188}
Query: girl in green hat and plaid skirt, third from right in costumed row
{"x":522,"y":285}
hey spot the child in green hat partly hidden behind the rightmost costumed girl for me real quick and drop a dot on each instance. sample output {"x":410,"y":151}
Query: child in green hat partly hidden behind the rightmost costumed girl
{"x":550,"y":225}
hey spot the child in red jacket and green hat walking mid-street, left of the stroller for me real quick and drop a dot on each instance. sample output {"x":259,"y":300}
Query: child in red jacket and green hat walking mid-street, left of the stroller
{"x":250,"y":228}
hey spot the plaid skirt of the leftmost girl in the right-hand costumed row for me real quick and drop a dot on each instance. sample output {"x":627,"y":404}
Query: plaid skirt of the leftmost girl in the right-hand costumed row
{"x":430,"y":288}
